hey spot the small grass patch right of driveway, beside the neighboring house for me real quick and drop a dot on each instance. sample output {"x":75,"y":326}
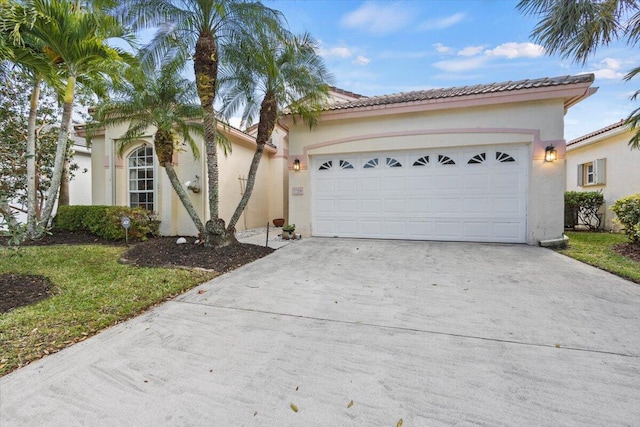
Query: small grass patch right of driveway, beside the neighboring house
{"x":596,"y":249}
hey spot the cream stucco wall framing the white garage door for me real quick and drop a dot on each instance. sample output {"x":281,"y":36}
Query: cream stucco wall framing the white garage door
{"x":536,"y":123}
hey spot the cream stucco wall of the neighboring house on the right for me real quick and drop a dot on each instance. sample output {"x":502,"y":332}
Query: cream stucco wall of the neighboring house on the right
{"x":622,"y":174}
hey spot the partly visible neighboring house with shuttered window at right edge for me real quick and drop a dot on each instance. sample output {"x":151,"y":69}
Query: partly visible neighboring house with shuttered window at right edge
{"x":603,"y":161}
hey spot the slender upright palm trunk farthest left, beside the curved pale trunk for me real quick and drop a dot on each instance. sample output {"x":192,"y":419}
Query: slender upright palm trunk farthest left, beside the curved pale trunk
{"x":32,"y":208}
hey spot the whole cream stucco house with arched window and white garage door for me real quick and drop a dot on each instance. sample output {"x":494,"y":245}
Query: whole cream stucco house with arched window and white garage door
{"x":460,"y":164}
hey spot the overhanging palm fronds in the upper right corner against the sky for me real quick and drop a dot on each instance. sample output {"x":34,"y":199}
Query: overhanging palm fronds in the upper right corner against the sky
{"x":575,"y":29}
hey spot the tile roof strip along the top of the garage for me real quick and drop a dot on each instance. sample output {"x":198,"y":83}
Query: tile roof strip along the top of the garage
{"x":453,"y":92}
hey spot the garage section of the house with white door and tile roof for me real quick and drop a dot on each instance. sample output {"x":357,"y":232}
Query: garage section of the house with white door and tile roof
{"x":460,"y":164}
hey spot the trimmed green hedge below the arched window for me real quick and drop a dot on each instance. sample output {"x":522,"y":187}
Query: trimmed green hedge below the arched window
{"x":106,"y":221}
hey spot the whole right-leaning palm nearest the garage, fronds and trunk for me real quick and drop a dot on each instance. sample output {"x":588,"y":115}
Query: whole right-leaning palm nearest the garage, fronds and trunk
{"x":270,"y":74}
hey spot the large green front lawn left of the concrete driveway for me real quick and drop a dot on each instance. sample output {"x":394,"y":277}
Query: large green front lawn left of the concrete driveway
{"x":91,"y":292}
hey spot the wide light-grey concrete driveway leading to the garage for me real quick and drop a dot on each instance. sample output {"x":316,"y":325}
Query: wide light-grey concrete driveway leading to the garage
{"x":430,"y":333}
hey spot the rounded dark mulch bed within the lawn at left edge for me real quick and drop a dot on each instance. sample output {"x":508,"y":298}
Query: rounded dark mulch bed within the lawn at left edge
{"x":18,"y":290}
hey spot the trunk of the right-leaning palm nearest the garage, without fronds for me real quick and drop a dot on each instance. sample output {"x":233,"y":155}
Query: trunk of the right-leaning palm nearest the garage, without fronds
{"x":268,"y":117}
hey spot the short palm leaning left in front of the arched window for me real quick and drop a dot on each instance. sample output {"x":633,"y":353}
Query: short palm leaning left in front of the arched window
{"x":158,"y":98}
